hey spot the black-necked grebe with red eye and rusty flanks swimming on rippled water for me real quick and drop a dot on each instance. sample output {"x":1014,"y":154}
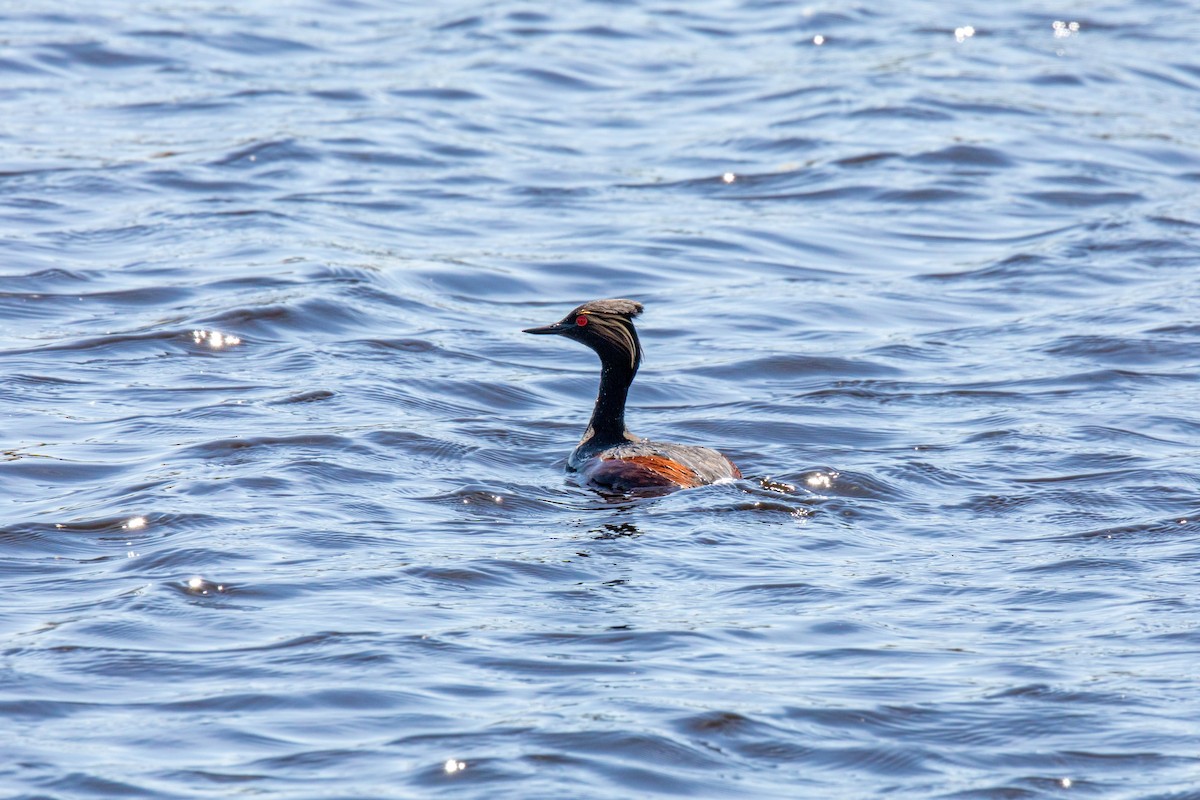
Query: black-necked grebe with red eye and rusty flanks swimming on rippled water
{"x":610,"y":456}
